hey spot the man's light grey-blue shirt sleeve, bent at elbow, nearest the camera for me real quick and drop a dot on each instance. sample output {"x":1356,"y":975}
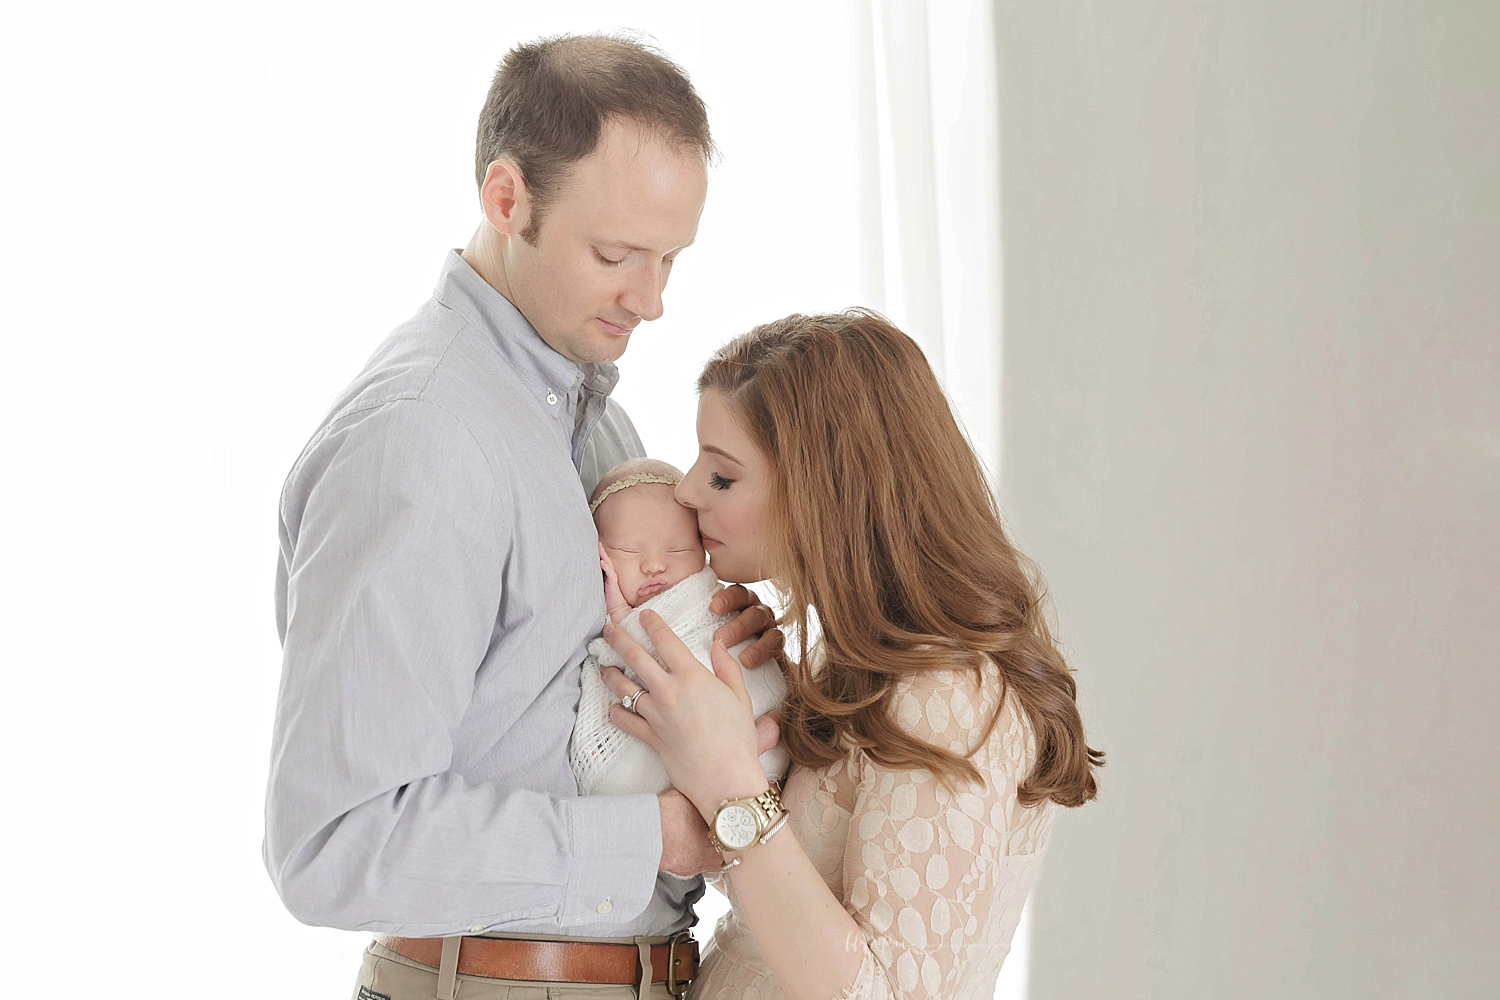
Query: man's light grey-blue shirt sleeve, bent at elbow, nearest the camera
{"x":394,"y":545}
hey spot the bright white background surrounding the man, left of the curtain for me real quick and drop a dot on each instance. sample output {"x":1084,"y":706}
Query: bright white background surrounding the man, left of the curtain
{"x":211,"y":215}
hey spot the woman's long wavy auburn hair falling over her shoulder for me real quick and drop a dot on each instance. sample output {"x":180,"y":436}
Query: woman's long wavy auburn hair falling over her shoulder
{"x":890,"y":536}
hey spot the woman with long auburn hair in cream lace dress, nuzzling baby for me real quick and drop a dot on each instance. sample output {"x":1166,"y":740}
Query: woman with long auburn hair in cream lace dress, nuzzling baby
{"x":931,"y":719}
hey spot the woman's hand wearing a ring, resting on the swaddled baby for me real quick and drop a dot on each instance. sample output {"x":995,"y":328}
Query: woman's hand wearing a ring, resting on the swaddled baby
{"x":700,"y":723}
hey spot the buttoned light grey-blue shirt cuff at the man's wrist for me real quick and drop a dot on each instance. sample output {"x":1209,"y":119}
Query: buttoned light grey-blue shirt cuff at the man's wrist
{"x":616,"y":846}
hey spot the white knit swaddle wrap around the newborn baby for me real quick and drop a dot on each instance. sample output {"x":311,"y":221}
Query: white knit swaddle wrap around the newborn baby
{"x":607,"y":761}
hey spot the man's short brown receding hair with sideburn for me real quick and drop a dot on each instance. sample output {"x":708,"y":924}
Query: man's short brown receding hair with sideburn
{"x":551,"y":98}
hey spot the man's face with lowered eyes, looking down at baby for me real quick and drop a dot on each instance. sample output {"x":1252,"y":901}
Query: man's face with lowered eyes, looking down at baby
{"x":607,"y":245}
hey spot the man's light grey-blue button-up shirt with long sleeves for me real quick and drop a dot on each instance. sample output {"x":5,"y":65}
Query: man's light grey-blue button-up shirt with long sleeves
{"x":437,"y":590}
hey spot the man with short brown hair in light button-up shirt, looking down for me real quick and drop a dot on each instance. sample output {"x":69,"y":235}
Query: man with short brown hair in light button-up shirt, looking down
{"x":440,"y":581}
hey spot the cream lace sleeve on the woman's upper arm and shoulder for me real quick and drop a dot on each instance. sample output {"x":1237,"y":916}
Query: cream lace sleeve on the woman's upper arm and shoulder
{"x":935,"y":878}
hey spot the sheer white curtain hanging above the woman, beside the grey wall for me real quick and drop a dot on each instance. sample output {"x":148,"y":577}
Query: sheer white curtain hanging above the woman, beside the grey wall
{"x":931,"y":191}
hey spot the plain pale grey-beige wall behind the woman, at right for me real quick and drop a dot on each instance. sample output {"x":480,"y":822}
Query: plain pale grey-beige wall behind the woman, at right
{"x":1253,"y":439}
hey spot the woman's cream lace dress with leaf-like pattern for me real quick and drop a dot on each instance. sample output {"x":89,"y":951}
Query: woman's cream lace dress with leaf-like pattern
{"x":935,"y":879}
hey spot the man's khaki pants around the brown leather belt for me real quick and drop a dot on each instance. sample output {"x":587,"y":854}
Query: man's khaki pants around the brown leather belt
{"x":385,"y":975}
